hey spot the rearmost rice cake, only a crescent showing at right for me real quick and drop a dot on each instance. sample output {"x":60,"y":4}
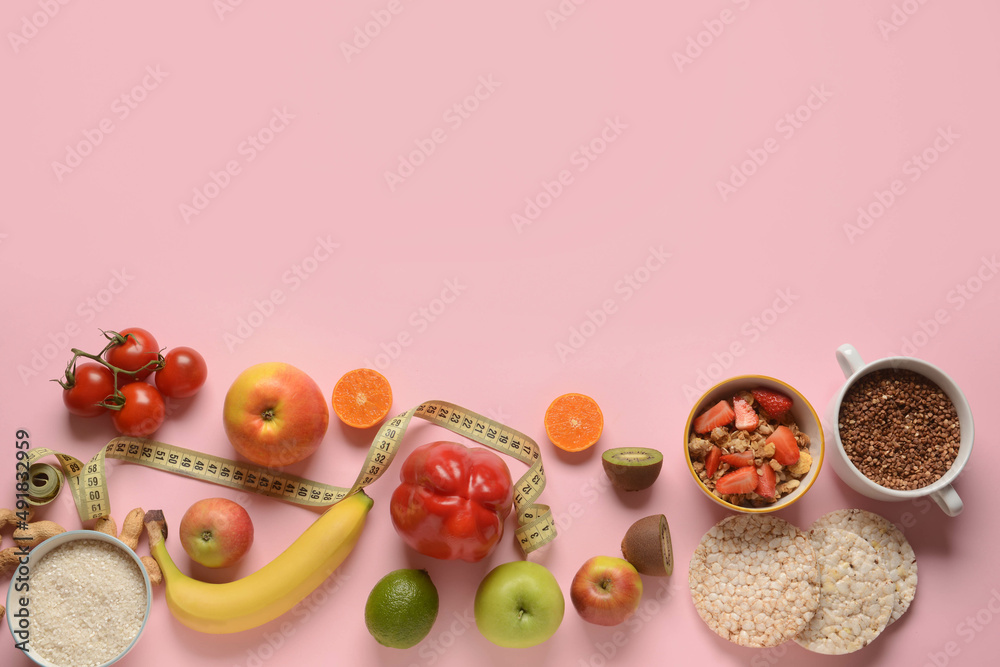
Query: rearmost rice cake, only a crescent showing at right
{"x":894,"y":550}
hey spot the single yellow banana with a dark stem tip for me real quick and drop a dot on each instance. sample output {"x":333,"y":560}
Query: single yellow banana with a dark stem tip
{"x":270,"y":591}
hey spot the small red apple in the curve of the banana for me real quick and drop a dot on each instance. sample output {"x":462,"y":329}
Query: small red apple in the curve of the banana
{"x":216,"y":532}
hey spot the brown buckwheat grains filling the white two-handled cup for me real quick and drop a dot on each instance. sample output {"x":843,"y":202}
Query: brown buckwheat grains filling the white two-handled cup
{"x":899,"y":429}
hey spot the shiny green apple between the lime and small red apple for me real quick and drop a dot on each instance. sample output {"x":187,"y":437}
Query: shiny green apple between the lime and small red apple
{"x":518,"y":605}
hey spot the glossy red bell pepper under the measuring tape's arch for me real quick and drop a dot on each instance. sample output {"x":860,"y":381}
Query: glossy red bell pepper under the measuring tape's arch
{"x":452,"y":501}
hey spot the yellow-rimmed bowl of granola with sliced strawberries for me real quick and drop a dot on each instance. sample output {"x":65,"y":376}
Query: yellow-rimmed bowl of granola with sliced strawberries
{"x":753,"y":444}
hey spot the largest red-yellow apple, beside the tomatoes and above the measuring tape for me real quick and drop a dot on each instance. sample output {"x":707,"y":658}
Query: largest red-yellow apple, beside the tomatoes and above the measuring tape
{"x":275,"y":414}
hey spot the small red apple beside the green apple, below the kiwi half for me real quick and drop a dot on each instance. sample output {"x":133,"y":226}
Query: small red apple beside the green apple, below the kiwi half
{"x":606,"y":590}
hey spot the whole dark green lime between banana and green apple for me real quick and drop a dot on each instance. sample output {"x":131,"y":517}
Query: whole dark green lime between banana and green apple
{"x":402,"y":608}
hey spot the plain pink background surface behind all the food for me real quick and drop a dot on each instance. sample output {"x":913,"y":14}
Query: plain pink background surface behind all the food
{"x":902,"y":123}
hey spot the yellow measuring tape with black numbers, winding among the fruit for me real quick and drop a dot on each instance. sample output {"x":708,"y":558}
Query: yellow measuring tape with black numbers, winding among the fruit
{"x":89,"y":487}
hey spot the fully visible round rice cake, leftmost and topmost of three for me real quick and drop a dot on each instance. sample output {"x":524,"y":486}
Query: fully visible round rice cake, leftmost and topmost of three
{"x":754,"y":580}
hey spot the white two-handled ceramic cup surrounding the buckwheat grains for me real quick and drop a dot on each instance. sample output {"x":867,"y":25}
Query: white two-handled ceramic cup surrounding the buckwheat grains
{"x":941,"y":491}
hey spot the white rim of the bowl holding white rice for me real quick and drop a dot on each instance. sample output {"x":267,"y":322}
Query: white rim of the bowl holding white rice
{"x":15,"y":610}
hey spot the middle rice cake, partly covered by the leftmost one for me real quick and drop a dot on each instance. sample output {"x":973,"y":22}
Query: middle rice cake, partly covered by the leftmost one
{"x":856,"y":595}
